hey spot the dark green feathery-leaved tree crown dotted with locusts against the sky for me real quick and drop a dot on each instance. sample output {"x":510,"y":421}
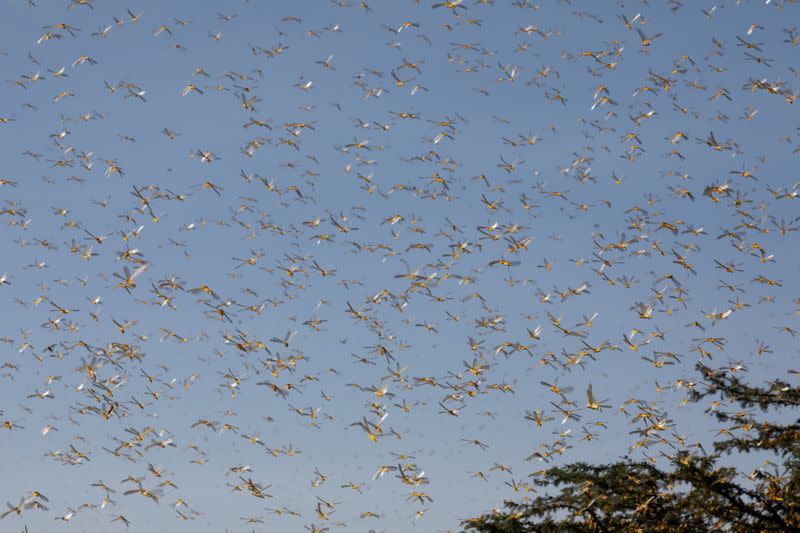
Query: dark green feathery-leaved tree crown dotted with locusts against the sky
{"x":694,"y":494}
